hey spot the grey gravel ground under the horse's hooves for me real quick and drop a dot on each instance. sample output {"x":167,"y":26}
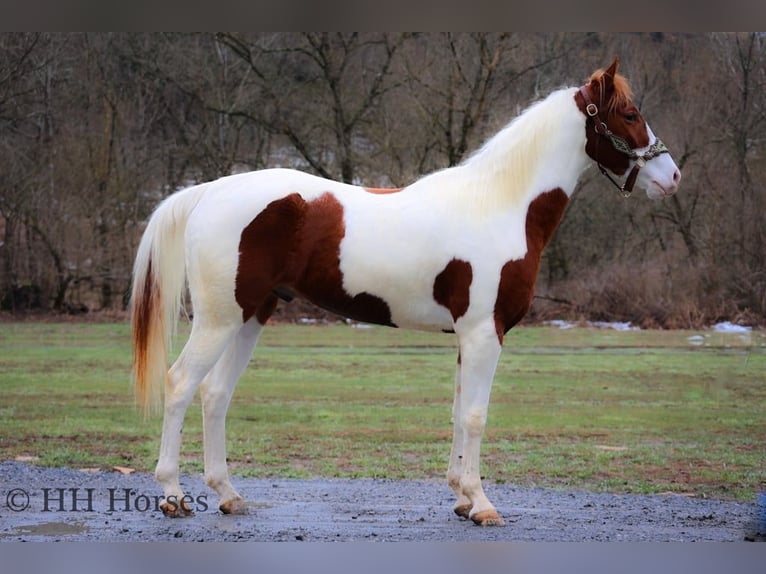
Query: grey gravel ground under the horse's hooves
{"x":44,"y":504}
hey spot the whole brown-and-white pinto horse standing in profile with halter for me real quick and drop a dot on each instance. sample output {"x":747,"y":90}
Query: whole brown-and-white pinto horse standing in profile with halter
{"x":457,"y":250}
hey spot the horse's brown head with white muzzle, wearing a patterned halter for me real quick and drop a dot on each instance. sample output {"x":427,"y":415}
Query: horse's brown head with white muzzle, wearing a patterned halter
{"x":618,"y":138}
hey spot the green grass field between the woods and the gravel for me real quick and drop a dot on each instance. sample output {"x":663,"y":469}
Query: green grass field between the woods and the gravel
{"x":637,"y":411}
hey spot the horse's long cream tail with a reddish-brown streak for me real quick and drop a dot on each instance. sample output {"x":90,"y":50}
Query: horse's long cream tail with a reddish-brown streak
{"x":159,"y":279}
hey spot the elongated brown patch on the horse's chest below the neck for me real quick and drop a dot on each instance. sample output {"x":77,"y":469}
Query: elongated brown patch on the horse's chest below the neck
{"x":517,"y":278}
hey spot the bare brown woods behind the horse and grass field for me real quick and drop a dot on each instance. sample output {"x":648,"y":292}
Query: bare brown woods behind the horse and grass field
{"x":96,"y":128}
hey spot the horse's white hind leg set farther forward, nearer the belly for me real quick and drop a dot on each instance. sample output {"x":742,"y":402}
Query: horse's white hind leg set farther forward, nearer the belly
{"x":217,"y":389}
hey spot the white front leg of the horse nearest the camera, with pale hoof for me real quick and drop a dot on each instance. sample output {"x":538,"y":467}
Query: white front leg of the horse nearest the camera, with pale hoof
{"x":479,"y":353}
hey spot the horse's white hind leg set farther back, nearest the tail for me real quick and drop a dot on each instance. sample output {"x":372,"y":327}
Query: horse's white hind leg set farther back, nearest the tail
{"x":201,"y":352}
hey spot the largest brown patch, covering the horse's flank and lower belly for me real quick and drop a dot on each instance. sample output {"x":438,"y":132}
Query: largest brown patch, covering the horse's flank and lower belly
{"x":293,"y":245}
